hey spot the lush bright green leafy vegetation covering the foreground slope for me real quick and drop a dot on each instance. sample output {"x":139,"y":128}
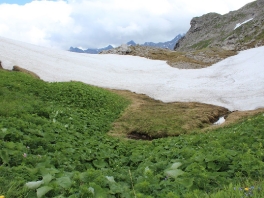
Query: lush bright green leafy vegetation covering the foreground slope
{"x":56,"y":133}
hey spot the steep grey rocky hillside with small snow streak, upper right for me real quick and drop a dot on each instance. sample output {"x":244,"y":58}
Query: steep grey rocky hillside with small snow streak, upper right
{"x":237,"y":30}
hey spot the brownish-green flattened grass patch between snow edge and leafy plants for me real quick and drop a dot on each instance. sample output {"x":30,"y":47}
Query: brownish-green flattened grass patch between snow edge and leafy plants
{"x":154,"y":119}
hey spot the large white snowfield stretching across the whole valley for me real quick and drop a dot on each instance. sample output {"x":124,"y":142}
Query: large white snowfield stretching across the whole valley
{"x":236,"y":83}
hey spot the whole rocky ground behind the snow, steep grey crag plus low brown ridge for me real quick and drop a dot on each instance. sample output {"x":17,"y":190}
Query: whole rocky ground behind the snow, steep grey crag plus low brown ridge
{"x":211,"y":38}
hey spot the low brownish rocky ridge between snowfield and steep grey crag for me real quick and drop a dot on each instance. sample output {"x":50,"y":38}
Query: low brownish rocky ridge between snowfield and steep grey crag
{"x":182,"y":60}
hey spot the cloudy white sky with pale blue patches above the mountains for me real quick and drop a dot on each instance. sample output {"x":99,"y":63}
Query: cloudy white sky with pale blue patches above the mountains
{"x":61,"y":24}
